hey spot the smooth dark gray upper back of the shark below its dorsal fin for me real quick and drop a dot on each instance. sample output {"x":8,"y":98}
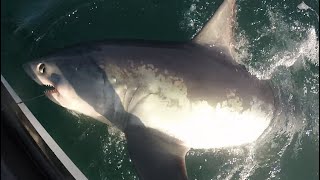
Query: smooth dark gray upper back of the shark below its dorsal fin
{"x":207,"y":72}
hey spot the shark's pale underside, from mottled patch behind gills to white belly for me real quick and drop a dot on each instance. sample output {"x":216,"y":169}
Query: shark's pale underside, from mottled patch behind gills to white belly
{"x":162,"y":103}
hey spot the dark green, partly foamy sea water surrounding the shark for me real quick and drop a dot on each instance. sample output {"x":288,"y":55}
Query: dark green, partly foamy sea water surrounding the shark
{"x":275,"y":40}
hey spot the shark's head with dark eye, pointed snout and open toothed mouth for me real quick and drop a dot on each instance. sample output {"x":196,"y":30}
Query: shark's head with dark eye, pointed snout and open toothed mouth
{"x":77,"y":84}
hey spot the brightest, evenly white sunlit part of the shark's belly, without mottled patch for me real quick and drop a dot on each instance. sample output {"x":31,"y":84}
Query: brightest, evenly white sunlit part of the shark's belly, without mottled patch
{"x":199,"y":125}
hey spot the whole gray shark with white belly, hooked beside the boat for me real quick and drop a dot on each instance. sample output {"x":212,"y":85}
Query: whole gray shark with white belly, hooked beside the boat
{"x":165,"y":97}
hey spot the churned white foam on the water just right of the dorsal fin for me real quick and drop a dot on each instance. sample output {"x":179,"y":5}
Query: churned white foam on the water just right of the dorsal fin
{"x":291,"y":50}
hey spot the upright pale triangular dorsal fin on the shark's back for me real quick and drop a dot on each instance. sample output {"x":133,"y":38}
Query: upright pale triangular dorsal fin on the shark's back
{"x":218,"y":31}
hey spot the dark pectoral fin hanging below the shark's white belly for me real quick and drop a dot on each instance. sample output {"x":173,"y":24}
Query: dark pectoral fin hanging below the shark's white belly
{"x":155,"y":155}
